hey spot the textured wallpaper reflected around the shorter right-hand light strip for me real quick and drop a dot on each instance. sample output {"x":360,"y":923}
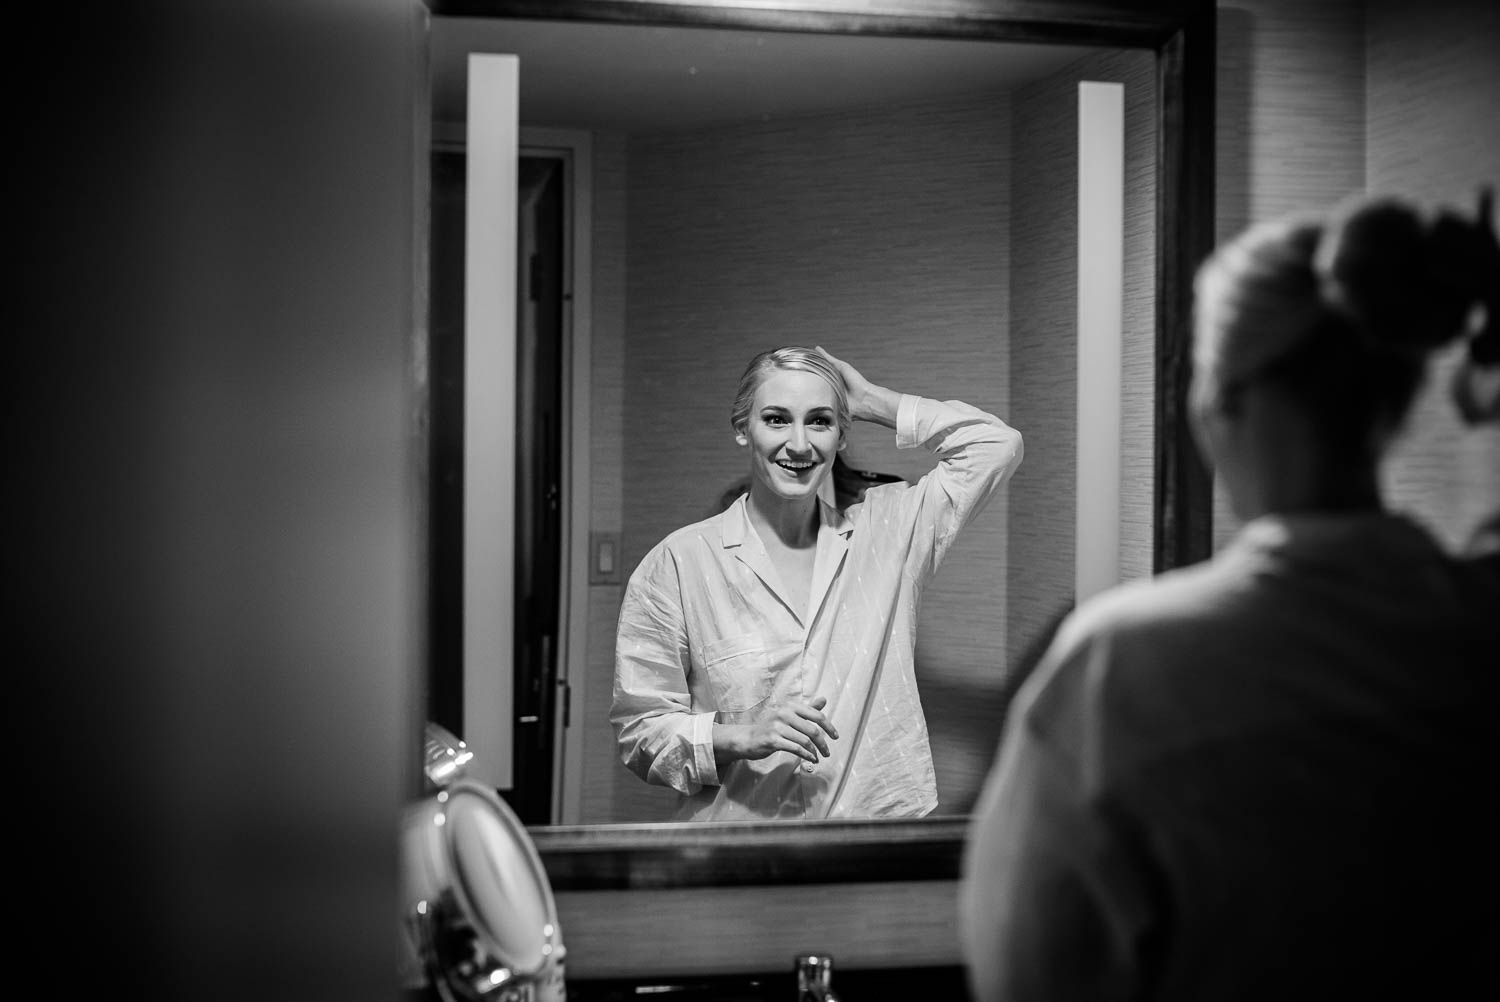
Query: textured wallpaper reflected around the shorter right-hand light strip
{"x":1045,"y":340}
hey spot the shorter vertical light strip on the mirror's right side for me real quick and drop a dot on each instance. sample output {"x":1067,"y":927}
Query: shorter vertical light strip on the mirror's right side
{"x":1102,"y":268}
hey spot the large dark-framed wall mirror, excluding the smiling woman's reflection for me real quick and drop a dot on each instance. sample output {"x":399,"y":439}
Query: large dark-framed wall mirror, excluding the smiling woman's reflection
{"x":695,"y":184}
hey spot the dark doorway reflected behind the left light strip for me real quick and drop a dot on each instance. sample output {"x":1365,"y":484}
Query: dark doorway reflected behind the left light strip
{"x":541,"y":706}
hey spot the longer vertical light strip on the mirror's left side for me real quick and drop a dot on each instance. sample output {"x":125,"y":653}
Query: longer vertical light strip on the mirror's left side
{"x":490,"y":416}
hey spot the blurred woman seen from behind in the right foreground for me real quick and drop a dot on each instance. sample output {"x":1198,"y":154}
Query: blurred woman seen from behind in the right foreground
{"x":1265,"y":776}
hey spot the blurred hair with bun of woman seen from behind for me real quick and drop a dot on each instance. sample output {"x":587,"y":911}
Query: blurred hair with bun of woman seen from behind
{"x":1339,"y":313}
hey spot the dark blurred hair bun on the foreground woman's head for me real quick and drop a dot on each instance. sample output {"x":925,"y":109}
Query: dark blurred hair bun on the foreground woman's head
{"x":1405,"y":283}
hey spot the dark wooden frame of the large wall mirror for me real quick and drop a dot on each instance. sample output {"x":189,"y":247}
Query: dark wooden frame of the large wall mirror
{"x":1183,"y":35}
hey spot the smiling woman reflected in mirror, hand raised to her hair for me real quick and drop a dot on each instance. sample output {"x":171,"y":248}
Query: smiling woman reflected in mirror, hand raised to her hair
{"x":764,"y":656}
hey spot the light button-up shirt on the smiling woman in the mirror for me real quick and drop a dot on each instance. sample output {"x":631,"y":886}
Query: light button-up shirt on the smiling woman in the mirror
{"x":706,"y":628}
